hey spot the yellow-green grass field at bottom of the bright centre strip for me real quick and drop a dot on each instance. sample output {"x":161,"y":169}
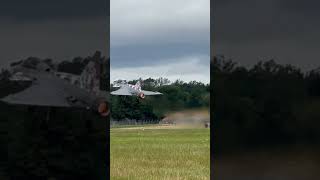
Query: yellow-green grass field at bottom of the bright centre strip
{"x":160,"y":153}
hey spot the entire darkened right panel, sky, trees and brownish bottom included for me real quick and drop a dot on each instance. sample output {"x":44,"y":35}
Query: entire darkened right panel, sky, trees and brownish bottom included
{"x":265,"y":89}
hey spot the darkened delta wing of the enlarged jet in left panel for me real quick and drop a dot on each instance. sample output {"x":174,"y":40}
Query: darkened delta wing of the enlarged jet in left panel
{"x":49,"y":90}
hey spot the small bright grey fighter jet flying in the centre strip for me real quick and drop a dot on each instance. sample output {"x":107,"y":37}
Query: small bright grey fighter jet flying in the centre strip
{"x":133,"y":90}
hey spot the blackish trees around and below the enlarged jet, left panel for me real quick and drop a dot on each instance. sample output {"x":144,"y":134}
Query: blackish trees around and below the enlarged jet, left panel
{"x":62,"y":148}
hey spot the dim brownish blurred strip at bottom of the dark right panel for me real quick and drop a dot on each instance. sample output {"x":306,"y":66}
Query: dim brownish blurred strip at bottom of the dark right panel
{"x":276,"y":164}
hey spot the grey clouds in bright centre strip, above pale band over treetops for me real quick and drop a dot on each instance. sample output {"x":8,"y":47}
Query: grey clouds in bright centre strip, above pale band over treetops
{"x":145,"y":33}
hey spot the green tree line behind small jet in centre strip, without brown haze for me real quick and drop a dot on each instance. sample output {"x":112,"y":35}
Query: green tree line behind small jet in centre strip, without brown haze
{"x":177,"y":95}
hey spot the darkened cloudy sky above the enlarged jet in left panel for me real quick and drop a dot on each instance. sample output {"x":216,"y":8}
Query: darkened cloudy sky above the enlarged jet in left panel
{"x":56,"y":29}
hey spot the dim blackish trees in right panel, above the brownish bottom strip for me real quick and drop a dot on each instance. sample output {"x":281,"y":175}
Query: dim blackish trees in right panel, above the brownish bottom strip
{"x":265,"y":105}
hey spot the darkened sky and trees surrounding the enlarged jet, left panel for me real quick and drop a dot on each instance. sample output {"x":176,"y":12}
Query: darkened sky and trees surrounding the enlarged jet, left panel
{"x":66,"y":35}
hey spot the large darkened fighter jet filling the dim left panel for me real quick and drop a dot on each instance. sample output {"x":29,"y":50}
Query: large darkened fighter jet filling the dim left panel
{"x":51,"y":88}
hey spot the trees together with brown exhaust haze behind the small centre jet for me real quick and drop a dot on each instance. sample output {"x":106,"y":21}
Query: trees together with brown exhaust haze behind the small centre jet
{"x":181,"y":103}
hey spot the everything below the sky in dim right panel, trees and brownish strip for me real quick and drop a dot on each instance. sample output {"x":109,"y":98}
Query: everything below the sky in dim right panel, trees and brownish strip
{"x":265,"y":121}
